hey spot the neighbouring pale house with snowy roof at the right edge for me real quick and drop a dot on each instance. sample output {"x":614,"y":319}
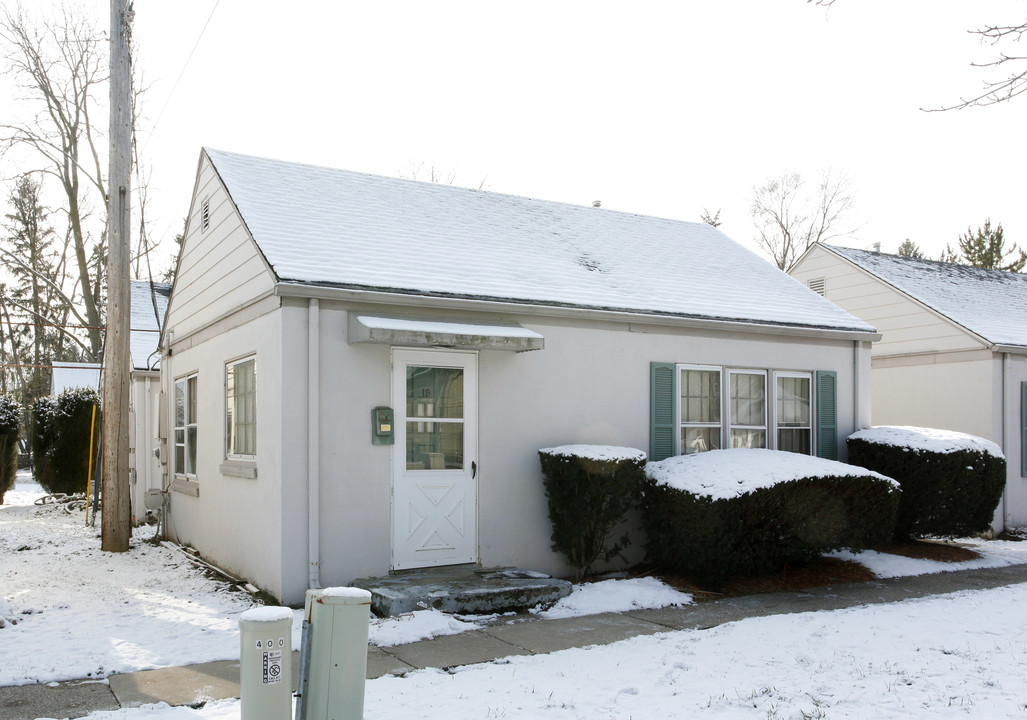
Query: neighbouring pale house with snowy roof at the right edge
{"x":954,"y":349}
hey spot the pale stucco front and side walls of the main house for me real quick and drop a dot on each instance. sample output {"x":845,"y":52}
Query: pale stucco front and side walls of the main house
{"x":591,"y":385}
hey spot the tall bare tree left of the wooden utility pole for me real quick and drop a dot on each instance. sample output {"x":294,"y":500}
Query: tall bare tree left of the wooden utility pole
{"x":61,"y":66}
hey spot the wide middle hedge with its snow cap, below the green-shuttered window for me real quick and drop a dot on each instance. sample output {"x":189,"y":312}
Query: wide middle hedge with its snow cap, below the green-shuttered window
{"x":727,"y":514}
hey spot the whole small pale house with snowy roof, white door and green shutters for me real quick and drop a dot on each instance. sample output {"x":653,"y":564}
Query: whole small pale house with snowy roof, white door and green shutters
{"x":363,"y":369}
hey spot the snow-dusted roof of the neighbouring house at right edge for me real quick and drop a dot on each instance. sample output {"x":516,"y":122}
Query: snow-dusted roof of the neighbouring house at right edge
{"x":990,"y":304}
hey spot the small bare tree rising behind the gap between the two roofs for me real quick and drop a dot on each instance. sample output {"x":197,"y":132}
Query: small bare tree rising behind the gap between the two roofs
{"x":789,"y":220}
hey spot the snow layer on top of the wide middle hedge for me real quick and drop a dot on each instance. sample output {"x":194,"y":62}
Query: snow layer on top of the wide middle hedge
{"x":726,"y":474}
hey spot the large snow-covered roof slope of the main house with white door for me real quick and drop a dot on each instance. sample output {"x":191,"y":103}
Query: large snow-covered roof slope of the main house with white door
{"x":323,"y":226}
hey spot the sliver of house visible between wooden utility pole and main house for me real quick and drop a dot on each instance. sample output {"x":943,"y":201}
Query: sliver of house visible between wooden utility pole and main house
{"x":149,"y":304}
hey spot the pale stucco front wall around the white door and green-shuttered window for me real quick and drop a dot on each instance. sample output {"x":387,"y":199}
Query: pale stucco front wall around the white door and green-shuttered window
{"x":591,"y":385}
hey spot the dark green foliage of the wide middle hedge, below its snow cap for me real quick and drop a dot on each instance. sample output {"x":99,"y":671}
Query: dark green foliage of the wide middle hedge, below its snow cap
{"x":793,"y":522}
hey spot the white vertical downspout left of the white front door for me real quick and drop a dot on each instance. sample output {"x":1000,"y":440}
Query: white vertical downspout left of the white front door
{"x":314,"y":442}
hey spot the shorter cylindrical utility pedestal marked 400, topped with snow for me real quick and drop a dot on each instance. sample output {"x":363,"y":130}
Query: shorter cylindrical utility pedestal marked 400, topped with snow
{"x":267,"y":664}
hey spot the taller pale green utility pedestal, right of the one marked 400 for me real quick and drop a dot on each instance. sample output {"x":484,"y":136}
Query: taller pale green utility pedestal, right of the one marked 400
{"x":334,"y":657}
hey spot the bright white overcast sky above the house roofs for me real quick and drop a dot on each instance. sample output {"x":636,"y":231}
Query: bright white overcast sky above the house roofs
{"x":660,"y":108}
